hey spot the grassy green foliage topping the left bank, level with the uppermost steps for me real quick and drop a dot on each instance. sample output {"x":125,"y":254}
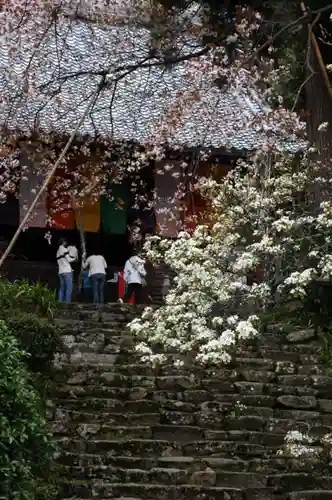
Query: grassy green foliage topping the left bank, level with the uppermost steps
{"x":27,"y":297}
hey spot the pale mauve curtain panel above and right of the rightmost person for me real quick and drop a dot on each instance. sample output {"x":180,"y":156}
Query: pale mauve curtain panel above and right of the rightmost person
{"x":167,"y":207}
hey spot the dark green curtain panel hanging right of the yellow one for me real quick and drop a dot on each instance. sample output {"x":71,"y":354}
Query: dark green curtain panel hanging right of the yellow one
{"x":114,"y":208}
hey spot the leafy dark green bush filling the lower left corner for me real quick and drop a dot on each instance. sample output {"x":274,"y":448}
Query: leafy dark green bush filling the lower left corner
{"x":26,"y":448}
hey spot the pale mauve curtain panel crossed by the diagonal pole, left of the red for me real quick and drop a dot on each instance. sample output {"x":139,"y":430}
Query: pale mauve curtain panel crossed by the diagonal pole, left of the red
{"x":30,"y":183}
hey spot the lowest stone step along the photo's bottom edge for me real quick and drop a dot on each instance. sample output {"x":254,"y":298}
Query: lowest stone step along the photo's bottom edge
{"x":120,"y":491}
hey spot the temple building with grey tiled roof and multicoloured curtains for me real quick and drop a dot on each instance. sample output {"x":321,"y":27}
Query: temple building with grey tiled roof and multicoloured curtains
{"x":132,"y":112}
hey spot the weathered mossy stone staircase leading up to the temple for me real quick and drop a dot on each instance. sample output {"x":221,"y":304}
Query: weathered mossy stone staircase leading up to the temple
{"x":129,"y":432}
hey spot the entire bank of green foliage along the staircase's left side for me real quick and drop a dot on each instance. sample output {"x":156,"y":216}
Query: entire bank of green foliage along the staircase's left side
{"x":28,"y":342}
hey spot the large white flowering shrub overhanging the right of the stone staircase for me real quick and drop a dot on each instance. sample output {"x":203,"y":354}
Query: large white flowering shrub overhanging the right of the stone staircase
{"x":265,"y":216}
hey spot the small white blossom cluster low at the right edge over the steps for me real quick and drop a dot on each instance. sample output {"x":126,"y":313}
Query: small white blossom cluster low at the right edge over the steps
{"x":302,"y":446}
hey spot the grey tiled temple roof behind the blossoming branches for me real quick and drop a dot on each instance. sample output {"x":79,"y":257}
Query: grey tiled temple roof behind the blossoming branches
{"x":140,"y":102}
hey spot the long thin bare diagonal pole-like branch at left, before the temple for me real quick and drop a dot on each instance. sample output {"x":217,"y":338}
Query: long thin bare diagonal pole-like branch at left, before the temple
{"x":43,"y":188}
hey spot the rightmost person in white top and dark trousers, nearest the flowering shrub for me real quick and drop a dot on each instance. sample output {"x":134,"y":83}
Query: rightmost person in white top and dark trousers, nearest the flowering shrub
{"x":134,"y":275}
